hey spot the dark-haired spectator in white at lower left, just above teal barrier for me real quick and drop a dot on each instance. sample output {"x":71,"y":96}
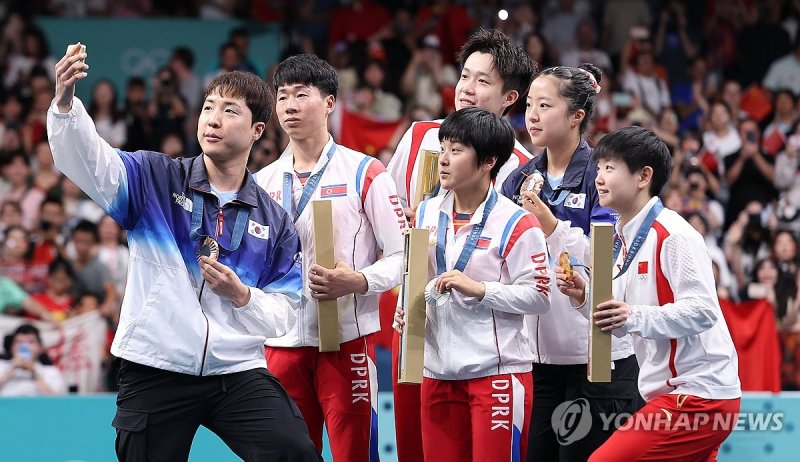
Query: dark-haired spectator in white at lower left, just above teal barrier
{"x":27,"y":371}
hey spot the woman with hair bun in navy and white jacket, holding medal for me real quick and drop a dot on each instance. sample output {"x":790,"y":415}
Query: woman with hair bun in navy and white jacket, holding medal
{"x":558,"y":187}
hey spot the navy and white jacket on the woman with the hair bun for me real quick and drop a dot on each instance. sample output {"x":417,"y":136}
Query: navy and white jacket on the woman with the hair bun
{"x":562,"y":335}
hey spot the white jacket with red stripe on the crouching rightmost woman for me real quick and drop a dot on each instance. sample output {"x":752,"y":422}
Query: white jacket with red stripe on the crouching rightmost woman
{"x":681,"y":341}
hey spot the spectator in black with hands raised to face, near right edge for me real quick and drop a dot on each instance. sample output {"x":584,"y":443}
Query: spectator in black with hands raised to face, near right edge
{"x":749,"y":172}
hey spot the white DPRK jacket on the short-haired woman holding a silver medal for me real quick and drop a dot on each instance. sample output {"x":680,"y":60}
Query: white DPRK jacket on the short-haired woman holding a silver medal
{"x":470,"y":338}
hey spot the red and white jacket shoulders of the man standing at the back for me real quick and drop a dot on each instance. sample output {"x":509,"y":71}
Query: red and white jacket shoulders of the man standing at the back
{"x":404,"y":167}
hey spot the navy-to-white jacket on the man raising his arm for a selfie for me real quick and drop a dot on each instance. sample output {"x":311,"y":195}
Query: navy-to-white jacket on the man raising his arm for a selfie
{"x":162,"y":324}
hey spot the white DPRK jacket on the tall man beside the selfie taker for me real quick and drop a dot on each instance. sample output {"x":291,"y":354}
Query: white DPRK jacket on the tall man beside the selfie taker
{"x":368,"y":220}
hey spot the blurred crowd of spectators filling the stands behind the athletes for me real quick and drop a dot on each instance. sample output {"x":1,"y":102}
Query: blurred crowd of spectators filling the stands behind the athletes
{"x":717,"y":80}
